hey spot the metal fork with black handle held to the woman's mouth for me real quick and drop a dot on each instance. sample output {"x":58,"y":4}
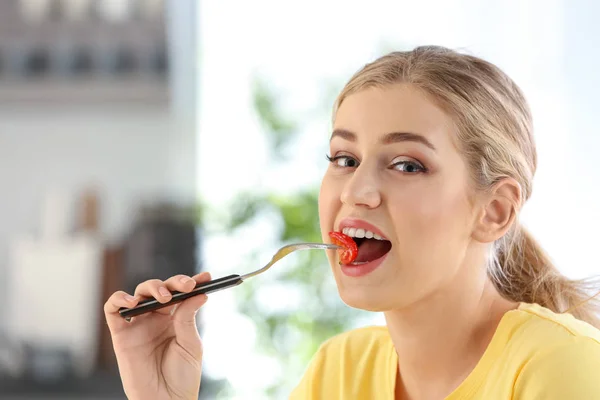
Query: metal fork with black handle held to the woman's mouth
{"x":214,"y":285}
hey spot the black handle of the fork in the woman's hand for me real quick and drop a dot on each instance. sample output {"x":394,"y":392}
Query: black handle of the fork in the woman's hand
{"x":149,"y":305}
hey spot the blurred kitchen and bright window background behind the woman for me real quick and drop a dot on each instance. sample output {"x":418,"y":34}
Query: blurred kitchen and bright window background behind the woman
{"x":146,"y":138}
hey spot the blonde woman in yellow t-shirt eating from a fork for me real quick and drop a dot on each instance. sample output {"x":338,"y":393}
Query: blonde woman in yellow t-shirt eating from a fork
{"x":432,"y":157}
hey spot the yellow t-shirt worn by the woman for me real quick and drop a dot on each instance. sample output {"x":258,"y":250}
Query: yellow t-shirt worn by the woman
{"x":535,"y":354}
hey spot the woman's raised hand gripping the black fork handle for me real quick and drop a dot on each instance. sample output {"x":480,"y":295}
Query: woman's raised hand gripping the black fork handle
{"x":159,"y":353}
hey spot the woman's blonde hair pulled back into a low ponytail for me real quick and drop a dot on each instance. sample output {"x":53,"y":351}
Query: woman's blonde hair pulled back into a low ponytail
{"x":495,"y":135}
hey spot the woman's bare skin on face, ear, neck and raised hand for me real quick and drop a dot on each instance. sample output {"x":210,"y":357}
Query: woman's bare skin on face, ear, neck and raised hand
{"x":433,"y":280}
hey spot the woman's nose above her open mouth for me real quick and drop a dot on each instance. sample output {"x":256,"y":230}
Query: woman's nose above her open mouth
{"x":362,"y":189}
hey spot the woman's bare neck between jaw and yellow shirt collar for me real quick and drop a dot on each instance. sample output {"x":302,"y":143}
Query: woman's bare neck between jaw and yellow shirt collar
{"x":440,"y":339}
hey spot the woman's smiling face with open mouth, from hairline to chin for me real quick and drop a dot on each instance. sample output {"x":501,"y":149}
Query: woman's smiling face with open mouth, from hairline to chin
{"x":396,"y":172}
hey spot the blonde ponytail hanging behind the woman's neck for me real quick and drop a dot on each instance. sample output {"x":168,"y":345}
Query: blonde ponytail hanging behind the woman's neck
{"x":523,"y":272}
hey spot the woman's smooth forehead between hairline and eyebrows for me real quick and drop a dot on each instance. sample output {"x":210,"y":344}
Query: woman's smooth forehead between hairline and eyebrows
{"x":374,"y":112}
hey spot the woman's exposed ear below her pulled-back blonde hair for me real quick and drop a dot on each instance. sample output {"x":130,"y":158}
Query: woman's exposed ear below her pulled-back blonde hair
{"x":498,"y":211}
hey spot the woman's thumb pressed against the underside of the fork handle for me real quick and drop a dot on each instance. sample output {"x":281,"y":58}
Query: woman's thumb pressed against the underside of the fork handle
{"x":186,"y":329}
